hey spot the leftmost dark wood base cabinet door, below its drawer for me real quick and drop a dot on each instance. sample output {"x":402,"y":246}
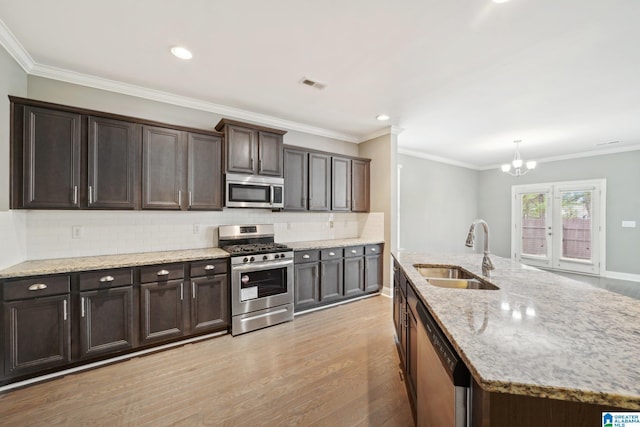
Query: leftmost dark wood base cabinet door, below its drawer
{"x":37,"y":334}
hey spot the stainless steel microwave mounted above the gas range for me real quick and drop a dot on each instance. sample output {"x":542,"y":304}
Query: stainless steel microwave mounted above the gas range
{"x":251,"y":191}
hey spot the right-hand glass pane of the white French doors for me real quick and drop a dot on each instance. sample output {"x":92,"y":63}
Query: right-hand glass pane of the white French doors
{"x":576,"y":224}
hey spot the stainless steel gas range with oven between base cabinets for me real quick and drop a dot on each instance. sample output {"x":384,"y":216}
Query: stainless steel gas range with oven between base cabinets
{"x":261,"y":277}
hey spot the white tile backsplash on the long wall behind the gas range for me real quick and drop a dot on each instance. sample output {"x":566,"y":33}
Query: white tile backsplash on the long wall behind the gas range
{"x":60,"y":234}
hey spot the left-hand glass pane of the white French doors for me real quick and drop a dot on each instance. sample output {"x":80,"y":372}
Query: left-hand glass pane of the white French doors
{"x":534,"y":224}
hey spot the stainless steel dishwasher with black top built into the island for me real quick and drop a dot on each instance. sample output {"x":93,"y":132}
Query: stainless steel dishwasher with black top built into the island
{"x":443,"y":389}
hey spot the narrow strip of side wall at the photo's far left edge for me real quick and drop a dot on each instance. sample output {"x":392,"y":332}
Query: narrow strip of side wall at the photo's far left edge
{"x":12,"y":224}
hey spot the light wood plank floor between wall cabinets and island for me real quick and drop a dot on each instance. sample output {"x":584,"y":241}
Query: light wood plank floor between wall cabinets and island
{"x":334,"y":367}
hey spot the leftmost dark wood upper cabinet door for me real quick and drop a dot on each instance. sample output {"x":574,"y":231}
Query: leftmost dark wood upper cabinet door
{"x":52,"y":159}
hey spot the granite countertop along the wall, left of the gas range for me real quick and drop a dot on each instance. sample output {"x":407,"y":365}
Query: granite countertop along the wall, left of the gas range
{"x":67,"y":265}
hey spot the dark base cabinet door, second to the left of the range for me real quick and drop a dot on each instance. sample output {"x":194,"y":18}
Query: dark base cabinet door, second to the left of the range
{"x":161,"y":310}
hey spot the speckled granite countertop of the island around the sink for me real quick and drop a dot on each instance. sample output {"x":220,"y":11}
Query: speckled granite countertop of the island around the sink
{"x":540,"y":334}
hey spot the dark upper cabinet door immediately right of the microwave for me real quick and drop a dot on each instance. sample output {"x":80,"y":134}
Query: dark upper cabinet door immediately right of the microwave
{"x":295,"y":180}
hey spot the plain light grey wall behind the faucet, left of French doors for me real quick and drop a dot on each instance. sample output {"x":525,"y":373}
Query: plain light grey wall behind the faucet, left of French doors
{"x":438,"y":202}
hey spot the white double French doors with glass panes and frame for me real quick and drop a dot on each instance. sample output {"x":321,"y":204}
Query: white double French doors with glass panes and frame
{"x":559,"y":225}
